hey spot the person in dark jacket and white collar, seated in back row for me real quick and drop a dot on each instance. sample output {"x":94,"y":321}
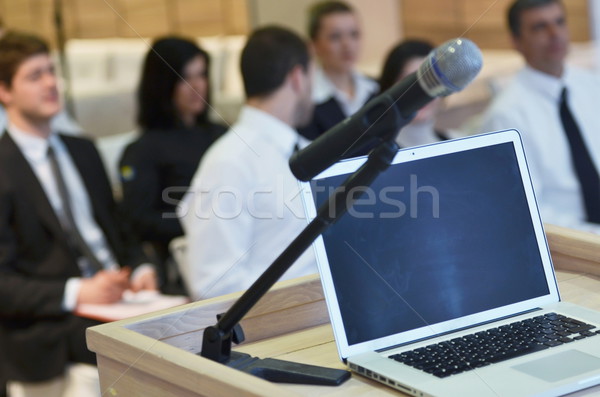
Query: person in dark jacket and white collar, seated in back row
{"x":339,"y":90}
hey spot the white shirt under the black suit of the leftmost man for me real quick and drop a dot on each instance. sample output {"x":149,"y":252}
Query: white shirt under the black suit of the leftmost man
{"x":35,"y":150}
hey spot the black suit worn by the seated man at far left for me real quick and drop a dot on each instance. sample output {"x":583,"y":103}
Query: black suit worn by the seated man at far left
{"x":37,"y":338}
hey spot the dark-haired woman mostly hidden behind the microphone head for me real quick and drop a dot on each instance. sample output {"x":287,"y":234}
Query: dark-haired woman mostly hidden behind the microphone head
{"x":404,"y":59}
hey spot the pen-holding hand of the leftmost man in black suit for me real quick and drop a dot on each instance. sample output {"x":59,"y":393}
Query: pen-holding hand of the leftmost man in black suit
{"x":106,"y":286}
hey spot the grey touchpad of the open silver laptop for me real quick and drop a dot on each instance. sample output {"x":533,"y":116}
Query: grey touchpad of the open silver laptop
{"x":560,"y":366}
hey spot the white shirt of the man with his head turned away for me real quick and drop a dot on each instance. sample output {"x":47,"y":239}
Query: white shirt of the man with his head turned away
{"x":243,"y":207}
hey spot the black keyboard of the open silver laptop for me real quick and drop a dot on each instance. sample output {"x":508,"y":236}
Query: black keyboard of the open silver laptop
{"x":496,"y":344}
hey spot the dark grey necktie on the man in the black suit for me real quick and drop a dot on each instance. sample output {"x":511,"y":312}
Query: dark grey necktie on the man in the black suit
{"x":87,"y":261}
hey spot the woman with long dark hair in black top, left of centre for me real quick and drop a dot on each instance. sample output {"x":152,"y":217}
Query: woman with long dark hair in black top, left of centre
{"x":157,"y":169}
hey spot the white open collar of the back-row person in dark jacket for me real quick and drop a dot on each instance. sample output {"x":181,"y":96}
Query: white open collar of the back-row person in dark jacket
{"x":324,"y":89}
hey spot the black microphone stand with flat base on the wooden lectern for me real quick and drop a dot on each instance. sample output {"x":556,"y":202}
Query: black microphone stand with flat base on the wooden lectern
{"x":217,"y":339}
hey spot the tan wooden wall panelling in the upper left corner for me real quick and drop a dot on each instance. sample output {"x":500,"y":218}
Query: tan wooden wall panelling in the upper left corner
{"x":128,"y":18}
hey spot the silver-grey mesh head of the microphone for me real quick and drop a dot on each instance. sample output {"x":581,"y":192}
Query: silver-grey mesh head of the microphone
{"x":450,"y":67}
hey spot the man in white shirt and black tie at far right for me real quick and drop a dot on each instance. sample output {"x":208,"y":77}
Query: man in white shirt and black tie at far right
{"x":534,"y":104}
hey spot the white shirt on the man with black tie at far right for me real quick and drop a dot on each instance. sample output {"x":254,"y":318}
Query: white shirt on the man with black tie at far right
{"x":531,"y":105}
